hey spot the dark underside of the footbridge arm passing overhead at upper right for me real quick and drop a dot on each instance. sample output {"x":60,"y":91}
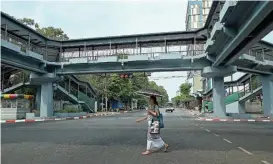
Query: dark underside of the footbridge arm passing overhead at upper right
{"x":231,"y":36}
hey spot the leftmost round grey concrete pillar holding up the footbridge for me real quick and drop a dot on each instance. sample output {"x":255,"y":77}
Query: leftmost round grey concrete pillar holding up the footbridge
{"x":46,"y":107}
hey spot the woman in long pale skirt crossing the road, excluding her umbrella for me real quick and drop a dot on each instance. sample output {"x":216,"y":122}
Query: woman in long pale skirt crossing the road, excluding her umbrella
{"x":154,"y":141}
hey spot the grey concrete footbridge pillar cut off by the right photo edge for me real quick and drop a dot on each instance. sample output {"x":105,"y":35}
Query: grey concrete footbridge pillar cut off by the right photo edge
{"x":267,"y":83}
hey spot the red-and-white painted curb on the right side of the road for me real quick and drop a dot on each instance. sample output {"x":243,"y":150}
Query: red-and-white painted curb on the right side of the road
{"x":234,"y":120}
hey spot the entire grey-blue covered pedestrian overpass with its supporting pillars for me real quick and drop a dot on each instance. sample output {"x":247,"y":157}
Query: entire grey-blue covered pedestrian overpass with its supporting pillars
{"x":225,"y":45}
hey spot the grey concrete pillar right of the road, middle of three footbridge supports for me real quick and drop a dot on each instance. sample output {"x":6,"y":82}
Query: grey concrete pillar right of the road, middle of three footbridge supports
{"x":219,"y":107}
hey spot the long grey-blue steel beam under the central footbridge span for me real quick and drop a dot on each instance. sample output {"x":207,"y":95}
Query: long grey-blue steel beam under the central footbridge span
{"x":135,"y":66}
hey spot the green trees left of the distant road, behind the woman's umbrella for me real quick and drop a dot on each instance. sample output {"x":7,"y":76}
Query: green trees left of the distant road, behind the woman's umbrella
{"x":124,"y":89}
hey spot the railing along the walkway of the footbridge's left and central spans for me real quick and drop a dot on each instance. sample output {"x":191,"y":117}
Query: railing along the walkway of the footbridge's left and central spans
{"x":93,"y":54}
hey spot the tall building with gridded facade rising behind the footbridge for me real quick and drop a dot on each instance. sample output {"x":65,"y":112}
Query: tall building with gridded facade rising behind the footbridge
{"x":196,"y":16}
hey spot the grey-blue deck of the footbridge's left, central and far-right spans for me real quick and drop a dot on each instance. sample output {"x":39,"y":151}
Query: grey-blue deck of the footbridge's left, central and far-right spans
{"x":153,"y":62}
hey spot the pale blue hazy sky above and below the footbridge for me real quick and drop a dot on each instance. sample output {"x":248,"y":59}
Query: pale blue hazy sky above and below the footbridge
{"x":83,"y":19}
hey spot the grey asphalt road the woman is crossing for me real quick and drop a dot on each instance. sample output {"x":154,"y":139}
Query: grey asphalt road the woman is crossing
{"x":119,"y":140}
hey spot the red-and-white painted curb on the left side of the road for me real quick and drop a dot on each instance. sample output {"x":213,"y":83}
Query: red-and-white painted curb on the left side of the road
{"x":56,"y":119}
